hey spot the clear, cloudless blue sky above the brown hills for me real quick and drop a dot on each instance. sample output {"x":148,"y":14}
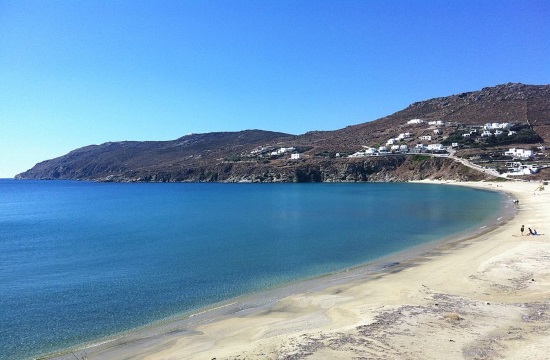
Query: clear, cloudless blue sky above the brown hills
{"x":74,"y":73}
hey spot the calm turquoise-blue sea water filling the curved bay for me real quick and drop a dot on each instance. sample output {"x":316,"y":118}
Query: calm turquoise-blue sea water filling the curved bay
{"x":80,"y":261}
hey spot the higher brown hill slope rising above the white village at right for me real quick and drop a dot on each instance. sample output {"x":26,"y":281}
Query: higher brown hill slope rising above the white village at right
{"x":513,"y":103}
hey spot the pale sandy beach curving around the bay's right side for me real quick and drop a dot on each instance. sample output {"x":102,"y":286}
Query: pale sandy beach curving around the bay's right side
{"x":485,"y":297}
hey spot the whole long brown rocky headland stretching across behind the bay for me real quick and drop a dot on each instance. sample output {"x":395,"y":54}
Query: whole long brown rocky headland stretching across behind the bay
{"x":263,"y":156}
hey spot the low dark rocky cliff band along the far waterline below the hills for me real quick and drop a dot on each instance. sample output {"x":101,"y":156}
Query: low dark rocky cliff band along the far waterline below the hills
{"x":376,"y":169}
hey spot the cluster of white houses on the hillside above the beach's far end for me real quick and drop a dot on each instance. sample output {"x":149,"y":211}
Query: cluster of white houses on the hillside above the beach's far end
{"x":448,"y":139}
